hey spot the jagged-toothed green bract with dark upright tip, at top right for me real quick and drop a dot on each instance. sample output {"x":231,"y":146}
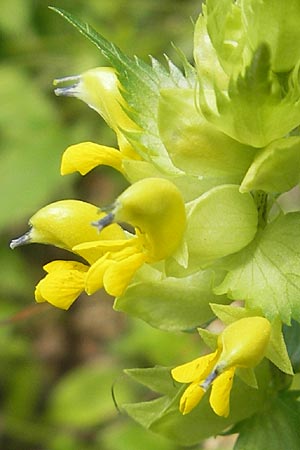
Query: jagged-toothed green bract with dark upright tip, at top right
{"x":256,"y":109}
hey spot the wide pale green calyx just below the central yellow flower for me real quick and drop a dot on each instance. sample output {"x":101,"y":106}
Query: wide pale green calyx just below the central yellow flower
{"x":170,"y":303}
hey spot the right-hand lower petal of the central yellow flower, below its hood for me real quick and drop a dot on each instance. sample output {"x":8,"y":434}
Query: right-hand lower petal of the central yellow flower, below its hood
{"x":118,"y":275}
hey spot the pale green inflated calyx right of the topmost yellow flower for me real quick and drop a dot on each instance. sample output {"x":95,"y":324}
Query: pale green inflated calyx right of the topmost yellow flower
{"x":194,"y":145}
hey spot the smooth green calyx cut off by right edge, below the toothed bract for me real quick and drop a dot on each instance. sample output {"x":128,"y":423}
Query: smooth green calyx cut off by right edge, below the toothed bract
{"x":275,"y":168}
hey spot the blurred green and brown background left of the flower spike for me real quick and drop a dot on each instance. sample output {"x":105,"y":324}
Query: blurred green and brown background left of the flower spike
{"x":58,"y":368}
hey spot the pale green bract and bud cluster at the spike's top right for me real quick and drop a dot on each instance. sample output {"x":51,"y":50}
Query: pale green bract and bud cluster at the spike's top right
{"x":239,"y":91}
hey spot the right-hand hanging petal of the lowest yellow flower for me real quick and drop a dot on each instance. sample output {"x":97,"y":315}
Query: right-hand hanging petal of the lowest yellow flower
{"x":220,"y":393}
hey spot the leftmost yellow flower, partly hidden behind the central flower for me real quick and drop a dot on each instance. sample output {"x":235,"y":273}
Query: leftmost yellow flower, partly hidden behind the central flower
{"x":66,"y":224}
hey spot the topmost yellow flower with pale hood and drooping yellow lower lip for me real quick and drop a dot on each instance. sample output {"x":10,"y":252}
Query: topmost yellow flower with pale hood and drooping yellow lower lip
{"x":101,"y":90}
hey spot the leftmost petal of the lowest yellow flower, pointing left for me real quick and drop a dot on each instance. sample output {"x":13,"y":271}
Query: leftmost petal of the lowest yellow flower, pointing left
{"x":198,"y":369}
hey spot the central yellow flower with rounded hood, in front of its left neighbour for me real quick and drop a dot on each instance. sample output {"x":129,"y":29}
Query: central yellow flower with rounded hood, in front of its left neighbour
{"x":155,"y":208}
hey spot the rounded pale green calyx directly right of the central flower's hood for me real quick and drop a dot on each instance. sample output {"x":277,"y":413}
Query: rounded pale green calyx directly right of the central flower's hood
{"x":223,"y":205}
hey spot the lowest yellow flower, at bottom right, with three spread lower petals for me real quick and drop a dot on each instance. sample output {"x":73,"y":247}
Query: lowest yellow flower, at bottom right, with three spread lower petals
{"x":241,"y":344}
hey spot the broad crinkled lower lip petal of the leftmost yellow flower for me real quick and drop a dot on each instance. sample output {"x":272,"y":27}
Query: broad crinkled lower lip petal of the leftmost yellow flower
{"x":60,"y":288}
